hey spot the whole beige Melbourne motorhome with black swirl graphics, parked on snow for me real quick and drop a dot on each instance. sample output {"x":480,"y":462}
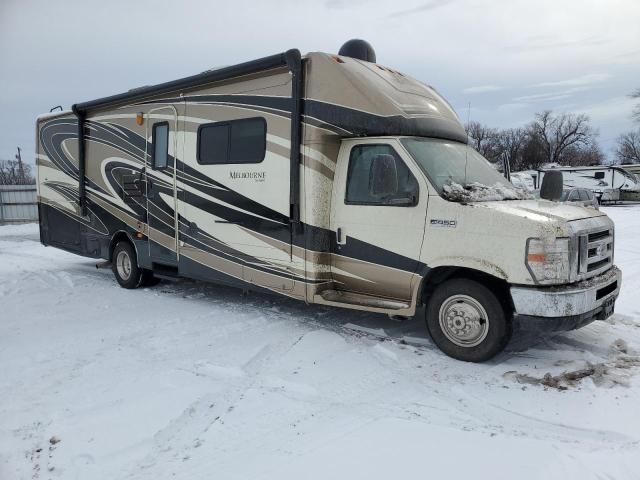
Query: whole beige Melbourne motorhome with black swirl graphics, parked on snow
{"x":324,"y":178}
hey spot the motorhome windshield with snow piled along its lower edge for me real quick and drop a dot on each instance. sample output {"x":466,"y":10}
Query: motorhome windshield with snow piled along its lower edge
{"x":458,"y":172}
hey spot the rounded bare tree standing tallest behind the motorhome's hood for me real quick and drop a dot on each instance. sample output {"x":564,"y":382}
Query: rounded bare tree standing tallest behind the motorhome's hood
{"x":557,"y":133}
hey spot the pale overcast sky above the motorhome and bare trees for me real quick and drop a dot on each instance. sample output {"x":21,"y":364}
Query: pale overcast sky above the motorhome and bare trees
{"x":498,"y":62}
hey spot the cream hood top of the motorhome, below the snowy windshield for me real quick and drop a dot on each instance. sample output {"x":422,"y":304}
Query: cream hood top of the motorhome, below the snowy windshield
{"x":541,"y":210}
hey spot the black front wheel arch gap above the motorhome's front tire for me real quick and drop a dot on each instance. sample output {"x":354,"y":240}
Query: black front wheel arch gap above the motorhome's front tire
{"x":440,"y":274}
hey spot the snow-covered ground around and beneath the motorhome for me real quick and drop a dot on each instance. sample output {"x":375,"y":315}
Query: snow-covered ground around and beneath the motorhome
{"x":187,"y":380}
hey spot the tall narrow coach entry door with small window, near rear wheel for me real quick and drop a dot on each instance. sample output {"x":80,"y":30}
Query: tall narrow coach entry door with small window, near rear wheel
{"x":161,"y":186}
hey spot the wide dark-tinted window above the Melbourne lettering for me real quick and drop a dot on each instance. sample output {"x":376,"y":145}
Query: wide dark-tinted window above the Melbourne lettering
{"x":236,"y":141}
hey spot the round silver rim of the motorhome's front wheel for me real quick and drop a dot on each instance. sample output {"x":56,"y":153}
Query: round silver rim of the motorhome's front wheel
{"x":464,"y":320}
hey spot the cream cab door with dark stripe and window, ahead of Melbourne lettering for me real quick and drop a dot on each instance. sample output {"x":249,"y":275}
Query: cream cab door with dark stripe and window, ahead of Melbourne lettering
{"x":378,"y":219}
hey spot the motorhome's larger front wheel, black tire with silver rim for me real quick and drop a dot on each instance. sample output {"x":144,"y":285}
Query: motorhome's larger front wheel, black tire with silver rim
{"x":450,"y":315}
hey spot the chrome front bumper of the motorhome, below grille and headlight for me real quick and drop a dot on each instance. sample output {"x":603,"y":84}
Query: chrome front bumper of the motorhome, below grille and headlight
{"x":567,"y":307}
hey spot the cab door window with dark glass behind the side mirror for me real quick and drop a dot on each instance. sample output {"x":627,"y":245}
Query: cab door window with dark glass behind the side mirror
{"x":377,"y":176}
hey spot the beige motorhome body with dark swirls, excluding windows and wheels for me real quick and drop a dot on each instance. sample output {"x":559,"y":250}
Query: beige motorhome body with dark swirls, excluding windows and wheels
{"x":235,"y":220}
